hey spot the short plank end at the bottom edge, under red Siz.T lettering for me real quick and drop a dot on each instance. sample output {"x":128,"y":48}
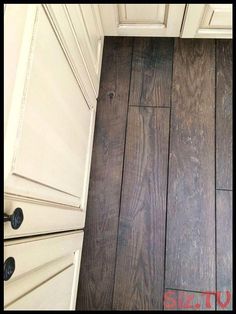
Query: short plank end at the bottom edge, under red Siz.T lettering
{"x":188,"y":300}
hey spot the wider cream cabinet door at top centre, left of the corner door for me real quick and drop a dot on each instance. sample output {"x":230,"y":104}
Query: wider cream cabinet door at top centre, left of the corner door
{"x":141,"y":19}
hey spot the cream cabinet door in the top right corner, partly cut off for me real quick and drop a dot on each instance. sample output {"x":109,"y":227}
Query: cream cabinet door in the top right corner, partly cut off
{"x":207,"y":21}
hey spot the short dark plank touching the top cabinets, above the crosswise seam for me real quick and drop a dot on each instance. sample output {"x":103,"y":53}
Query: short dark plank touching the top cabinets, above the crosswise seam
{"x":151,"y":72}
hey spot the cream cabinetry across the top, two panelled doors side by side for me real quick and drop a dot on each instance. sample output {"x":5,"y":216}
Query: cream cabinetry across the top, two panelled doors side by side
{"x":171,"y":20}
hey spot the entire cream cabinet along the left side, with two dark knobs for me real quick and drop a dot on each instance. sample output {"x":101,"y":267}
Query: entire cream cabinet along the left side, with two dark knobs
{"x":52,"y":64}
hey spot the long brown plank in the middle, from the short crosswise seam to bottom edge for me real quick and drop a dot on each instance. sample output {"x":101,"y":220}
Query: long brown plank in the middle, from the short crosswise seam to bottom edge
{"x":140,"y":252}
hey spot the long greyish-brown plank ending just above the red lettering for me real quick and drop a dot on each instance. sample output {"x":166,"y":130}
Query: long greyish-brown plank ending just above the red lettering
{"x":190,"y":248}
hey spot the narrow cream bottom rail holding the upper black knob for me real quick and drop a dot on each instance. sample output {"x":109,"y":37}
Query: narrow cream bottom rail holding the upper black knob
{"x":41,"y":218}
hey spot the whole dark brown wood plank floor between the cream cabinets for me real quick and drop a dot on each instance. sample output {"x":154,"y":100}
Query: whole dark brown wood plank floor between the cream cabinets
{"x":159,"y":214}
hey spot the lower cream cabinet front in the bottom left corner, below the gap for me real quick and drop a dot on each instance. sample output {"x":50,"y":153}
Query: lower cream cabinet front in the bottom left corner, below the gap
{"x":46,"y":272}
